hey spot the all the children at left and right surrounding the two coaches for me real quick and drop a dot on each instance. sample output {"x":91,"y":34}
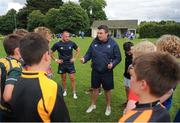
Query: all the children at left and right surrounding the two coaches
{"x":27,"y":94}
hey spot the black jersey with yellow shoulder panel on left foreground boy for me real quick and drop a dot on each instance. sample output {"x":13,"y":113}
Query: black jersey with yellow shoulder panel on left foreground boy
{"x":38,"y":98}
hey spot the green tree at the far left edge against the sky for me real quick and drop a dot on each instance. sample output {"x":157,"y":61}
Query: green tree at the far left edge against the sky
{"x":8,"y":22}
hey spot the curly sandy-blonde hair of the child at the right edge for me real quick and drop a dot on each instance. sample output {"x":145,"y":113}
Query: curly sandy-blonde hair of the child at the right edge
{"x":170,"y":44}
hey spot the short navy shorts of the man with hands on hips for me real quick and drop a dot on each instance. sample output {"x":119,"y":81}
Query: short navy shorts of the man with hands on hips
{"x":66,"y":68}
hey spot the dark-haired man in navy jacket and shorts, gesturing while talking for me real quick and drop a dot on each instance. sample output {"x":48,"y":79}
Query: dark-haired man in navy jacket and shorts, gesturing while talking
{"x":105,"y":55}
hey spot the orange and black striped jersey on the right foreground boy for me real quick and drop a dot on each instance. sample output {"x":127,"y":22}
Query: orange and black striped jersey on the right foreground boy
{"x":151,"y":112}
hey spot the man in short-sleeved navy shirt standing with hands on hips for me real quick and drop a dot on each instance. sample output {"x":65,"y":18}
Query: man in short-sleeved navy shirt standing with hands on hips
{"x":66,"y":60}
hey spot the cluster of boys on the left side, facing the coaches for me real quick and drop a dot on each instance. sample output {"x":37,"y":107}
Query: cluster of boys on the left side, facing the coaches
{"x":27,"y":94}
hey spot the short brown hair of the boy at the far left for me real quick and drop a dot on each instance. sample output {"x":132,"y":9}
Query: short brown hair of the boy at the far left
{"x":11,"y":42}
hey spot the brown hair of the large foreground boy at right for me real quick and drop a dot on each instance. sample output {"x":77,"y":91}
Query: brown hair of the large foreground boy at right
{"x":160,"y":70}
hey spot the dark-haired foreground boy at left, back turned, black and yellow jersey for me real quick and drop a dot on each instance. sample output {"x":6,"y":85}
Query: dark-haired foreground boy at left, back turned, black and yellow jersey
{"x":37,"y":98}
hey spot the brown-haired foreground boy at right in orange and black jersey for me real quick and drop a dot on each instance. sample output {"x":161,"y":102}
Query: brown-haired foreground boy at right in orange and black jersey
{"x":149,"y":80}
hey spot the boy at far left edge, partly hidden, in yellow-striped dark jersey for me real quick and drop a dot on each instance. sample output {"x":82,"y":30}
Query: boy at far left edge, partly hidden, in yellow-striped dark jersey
{"x":10,"y":70}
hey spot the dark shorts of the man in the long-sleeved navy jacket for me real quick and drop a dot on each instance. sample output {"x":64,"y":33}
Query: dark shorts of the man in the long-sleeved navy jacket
{"x":106,"y":79}
